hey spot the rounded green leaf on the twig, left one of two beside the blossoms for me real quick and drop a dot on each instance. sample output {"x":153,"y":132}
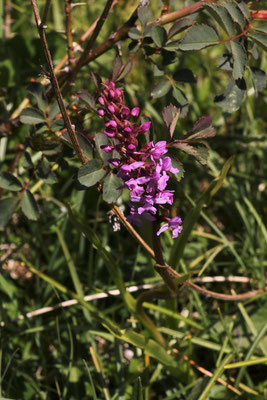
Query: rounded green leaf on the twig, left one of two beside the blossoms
{"x":91,"y":173}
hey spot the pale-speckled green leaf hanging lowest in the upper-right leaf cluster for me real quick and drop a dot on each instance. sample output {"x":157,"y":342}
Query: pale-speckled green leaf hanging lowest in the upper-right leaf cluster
{"x":233,"y":96}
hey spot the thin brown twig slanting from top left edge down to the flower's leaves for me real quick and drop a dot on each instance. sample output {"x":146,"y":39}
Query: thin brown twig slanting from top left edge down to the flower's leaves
{"x":54,"y":83}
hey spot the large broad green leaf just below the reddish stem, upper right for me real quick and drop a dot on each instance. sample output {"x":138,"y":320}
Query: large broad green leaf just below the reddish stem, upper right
{"x":198,"y":37}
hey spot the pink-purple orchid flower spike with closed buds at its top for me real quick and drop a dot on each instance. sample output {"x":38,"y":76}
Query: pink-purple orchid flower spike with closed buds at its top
{"x":143,"y":167}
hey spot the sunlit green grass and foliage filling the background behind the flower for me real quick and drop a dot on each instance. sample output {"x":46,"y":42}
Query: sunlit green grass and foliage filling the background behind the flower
{"x":101,"y":349}
